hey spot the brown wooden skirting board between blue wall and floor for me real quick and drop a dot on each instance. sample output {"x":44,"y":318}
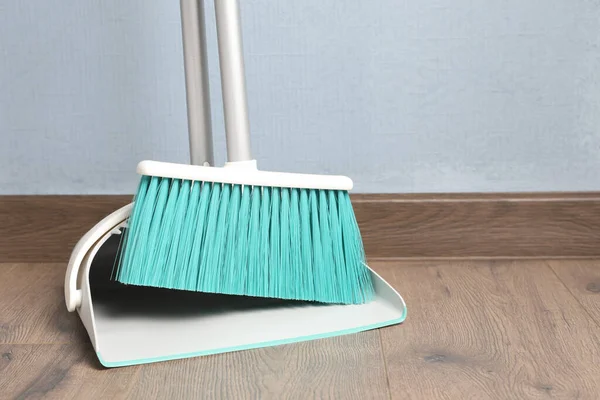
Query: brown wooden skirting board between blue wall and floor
{"x":549,"y":225}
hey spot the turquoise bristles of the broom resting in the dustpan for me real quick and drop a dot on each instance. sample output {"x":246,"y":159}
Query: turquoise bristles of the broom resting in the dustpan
{"x":285,"y":243}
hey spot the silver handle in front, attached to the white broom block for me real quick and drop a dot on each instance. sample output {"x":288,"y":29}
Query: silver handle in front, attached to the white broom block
{"x":233,"y":81}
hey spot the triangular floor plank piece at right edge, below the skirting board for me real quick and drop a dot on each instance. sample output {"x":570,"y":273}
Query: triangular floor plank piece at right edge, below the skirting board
{"x":582,"y":279}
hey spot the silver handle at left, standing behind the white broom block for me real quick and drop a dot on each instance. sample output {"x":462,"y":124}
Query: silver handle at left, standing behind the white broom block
{"x":196,"y":82}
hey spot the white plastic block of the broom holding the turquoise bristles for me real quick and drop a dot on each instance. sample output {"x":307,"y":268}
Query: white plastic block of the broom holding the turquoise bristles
{"x":244,"y":173}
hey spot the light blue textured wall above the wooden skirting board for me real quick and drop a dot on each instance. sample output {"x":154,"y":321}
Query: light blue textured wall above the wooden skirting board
{"x":403,"y":96}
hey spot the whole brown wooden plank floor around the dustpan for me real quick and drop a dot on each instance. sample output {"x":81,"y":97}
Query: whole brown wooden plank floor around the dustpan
{"x":475,"y":330}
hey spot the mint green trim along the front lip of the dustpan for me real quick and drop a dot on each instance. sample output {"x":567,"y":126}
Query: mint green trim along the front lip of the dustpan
{"x":117,"y":364}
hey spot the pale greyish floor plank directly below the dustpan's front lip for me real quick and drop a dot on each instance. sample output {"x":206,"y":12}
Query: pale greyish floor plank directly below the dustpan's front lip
{"x":346,"y":367}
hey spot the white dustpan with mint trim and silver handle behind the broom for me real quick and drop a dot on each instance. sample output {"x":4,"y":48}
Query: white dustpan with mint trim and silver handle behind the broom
{"x":131,"y":325}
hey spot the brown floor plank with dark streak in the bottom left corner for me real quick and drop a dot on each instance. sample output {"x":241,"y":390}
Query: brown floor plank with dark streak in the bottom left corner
{"x":60,"y":371}
